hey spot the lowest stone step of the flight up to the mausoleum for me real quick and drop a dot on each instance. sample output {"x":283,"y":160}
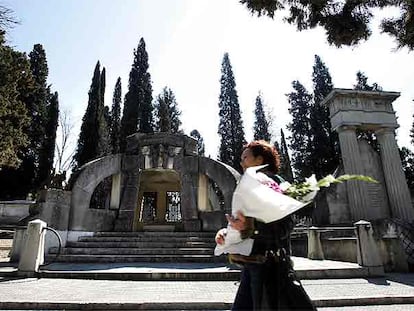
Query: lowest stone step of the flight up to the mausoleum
{"x":170,"y":258}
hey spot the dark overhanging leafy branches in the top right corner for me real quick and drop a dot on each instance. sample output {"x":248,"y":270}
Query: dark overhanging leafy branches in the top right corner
{"x":345,"y":22}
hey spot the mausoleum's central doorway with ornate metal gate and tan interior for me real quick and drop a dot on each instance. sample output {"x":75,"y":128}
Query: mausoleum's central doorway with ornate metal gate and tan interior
{"x":159,"y":201}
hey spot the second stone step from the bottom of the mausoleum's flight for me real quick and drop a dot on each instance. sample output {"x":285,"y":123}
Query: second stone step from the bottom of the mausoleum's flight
{"x":133,"y":251}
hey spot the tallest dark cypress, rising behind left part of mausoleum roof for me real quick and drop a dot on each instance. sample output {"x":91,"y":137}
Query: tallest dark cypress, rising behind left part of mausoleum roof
{"x":138,"y":110}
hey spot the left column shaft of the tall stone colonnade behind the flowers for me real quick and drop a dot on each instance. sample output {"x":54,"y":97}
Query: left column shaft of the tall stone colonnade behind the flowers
{"x":352,"y":165}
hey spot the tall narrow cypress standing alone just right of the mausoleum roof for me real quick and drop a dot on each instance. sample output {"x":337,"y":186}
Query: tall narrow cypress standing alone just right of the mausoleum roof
{"x":230,"y":129}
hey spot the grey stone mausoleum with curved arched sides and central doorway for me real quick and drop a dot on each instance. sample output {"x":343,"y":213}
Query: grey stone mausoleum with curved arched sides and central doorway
{"x":159,"y":183}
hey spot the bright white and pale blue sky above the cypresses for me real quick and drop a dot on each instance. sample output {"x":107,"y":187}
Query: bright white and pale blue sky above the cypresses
{"x":185,"y":41}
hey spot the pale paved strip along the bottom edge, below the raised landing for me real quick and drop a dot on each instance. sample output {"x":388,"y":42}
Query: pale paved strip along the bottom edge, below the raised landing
{"x":45,"y":293}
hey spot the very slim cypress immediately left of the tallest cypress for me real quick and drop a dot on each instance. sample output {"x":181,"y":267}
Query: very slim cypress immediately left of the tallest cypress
{"x":115,"y":125}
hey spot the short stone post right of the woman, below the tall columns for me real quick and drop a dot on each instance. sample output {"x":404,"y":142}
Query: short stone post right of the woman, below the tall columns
{"x":368,"y":254}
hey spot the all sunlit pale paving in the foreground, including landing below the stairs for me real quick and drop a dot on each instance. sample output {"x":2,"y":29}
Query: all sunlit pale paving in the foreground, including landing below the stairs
{"x":116,"y":290}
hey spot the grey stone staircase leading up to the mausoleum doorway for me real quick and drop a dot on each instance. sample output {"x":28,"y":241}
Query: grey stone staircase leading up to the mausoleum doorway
{"x":115,"y":247}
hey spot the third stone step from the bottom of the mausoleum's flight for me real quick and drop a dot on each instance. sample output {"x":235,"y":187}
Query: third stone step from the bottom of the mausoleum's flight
{"x":143,"y":244}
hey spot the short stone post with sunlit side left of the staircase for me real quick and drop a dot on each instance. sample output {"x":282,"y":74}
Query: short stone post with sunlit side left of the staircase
{"x":33,"y":251}
